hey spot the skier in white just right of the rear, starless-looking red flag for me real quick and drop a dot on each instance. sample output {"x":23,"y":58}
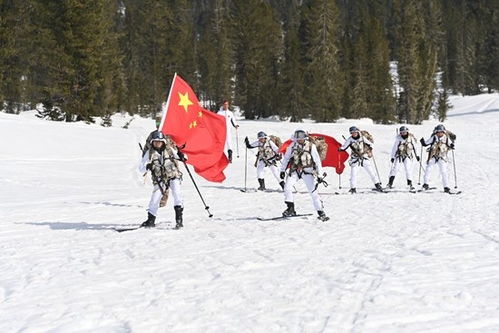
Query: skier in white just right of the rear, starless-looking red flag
{"x":361,"y":155}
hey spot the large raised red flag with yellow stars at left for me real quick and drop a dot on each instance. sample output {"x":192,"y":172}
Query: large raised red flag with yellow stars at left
{"x":202,"y":131}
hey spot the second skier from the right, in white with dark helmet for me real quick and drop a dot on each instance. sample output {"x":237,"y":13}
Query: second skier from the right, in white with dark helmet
{"x":403,"y":152}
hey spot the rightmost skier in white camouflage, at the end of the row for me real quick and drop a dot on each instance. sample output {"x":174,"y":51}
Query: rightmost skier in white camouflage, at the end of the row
{"x":440,"y":142}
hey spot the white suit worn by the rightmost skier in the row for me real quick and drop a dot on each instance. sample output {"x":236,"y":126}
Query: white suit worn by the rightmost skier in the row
{"x":438,"y":155}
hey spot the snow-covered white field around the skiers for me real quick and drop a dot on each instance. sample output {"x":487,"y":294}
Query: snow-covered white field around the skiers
{"x":396,"y":262}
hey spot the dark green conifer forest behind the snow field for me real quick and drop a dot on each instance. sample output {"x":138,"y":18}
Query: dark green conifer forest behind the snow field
{"x":389,"y":60}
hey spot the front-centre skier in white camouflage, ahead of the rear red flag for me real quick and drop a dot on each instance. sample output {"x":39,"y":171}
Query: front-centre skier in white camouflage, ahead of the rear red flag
{"x":304,"y":163}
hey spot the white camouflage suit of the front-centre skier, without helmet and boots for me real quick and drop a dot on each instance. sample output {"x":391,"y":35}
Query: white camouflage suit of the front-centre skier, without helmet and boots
{"x":302,"y":154}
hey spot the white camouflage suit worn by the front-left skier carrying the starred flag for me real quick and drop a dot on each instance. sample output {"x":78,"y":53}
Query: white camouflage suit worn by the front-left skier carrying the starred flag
{"x":165,"y":170}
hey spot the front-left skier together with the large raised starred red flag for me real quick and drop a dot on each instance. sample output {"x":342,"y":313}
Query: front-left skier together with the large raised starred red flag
{"x":185,"y":127}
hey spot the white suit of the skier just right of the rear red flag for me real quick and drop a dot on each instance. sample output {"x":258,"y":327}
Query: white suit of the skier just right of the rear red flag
{"x":359,"y":158}
